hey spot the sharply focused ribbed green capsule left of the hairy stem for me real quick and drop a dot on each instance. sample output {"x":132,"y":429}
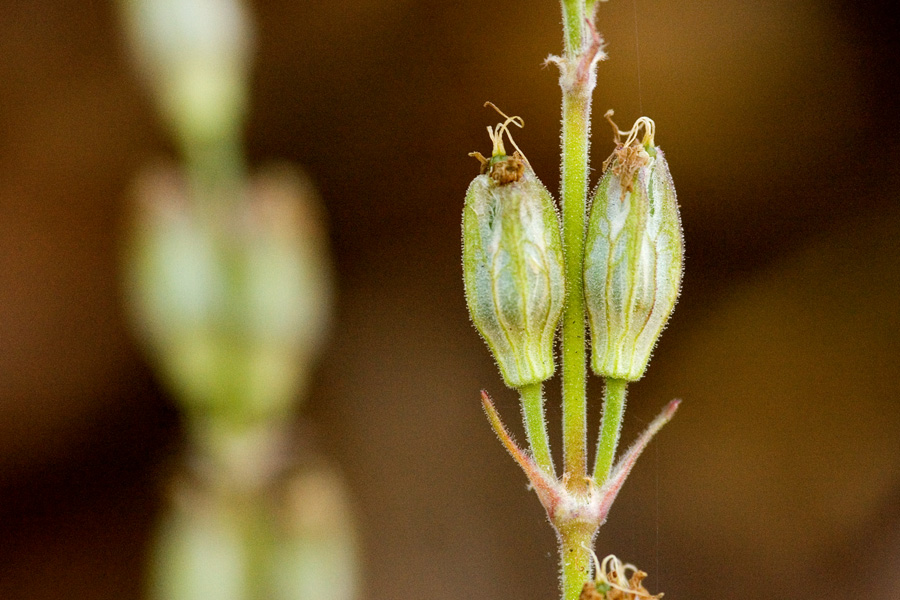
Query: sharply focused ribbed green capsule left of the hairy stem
{"x":513,"y":263}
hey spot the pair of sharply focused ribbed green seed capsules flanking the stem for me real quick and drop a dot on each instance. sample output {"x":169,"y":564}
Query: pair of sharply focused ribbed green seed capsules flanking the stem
{"x":514,"y":267}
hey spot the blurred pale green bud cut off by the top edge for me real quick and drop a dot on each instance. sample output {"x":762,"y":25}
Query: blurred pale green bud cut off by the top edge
{"x":195,"y":55}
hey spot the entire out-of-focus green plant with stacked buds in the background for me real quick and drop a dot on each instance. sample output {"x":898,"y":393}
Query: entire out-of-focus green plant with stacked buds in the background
{"x":229,"y":286}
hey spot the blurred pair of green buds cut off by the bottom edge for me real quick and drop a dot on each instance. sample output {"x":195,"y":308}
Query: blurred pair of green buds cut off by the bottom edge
{"x":270,"y":527}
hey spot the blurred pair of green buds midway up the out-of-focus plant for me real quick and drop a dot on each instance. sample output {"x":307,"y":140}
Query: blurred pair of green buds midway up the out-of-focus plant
{"x":232,"y":301}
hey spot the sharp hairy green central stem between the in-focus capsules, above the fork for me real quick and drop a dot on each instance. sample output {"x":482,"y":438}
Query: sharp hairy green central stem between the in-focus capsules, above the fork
{"x":576,"y":111}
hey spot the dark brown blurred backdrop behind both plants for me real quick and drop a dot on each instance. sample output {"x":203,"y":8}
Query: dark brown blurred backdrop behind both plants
{"x":780,"y":476}
